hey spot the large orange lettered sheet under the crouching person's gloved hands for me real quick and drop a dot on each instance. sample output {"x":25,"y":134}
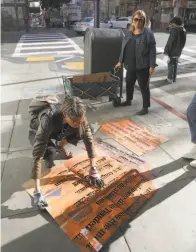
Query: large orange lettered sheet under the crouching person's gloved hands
{"x":86,"y":214}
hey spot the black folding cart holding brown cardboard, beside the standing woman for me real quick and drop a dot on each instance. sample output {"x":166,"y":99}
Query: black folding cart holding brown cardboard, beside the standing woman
{"x":94,"y":86}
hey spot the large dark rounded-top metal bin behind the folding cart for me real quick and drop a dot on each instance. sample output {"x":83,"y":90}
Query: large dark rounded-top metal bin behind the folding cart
{"x":102,"y":49}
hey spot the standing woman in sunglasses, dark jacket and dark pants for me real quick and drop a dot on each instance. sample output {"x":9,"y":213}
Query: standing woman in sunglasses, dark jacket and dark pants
{"x":139,"y":58}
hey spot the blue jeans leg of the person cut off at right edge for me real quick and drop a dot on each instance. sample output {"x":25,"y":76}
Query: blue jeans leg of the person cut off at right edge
{"x":191,"y":116}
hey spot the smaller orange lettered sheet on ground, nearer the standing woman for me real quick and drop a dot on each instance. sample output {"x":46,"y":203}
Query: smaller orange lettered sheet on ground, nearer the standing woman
{"x":133,"y":136}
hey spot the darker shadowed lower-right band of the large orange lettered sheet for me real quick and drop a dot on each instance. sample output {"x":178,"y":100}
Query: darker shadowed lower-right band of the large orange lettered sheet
{"x":104,"y":213}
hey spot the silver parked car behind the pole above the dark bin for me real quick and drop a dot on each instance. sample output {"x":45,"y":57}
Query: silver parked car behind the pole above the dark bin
{"x":87,"y":22}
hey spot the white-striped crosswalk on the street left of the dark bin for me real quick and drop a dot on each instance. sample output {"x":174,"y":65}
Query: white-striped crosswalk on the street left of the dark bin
{"x":44,"y":45}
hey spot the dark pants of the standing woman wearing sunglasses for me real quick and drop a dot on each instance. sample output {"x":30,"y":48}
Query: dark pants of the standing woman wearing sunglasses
{"x":142,"y":76}
